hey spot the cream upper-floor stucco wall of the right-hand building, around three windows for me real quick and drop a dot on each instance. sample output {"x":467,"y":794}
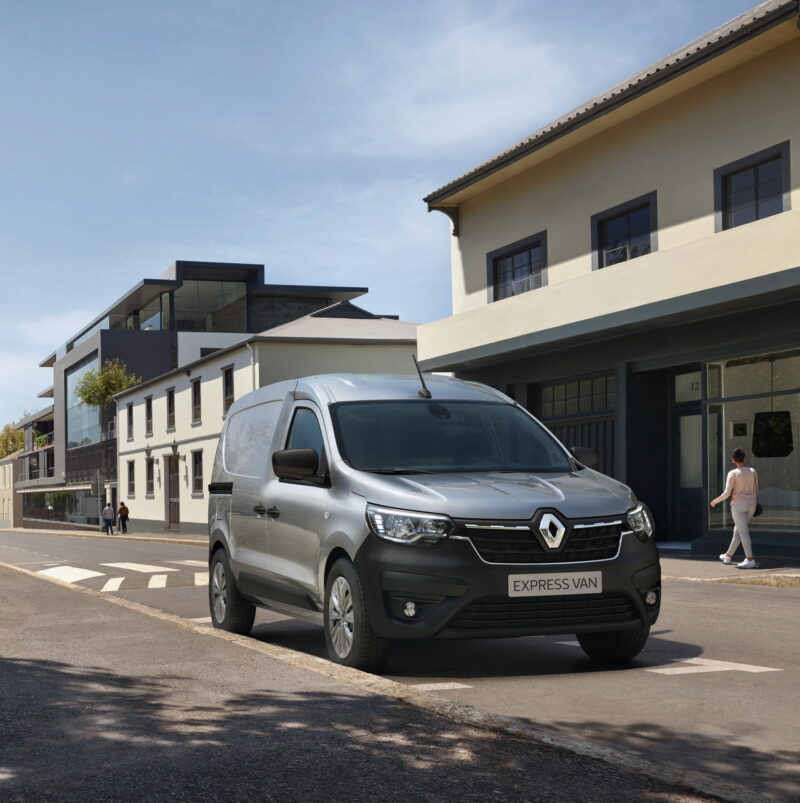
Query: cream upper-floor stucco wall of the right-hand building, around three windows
{"x":672,"y":148}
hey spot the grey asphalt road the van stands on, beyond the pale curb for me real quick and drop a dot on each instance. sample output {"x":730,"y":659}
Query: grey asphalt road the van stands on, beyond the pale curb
{"x":715,"y":690}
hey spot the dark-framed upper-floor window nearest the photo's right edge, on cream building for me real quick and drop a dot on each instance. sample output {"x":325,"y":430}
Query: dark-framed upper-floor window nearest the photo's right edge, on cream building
{"x":752,"y":188}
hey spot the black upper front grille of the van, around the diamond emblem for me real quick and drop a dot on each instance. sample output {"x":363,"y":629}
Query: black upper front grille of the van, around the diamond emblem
{"x":587,"y":542}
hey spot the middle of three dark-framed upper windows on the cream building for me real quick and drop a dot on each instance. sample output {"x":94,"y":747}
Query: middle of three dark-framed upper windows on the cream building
{"x":624,"y":232}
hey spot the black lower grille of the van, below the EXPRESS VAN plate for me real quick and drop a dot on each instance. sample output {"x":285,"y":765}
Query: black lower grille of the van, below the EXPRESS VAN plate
{"x":508,"y":613}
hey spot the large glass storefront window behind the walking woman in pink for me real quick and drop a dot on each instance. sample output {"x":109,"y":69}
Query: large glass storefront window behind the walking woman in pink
{"x":754,"y":403}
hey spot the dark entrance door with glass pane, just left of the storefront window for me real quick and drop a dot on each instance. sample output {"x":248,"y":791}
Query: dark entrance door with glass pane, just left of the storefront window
{"x":687,"y":497}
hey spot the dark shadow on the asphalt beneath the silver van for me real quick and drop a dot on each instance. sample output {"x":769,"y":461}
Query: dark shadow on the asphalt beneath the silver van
{"x":482,"y":658}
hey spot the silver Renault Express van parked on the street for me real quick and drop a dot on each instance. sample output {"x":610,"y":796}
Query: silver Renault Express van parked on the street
{"x":383,"y":509}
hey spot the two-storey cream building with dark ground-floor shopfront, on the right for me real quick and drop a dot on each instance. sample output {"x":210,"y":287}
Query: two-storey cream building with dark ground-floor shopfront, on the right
{"x":631,"y":274}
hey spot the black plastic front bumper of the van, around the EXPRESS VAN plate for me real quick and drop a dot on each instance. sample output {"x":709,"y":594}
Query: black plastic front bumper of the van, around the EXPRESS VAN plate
{"x":446,"y":591}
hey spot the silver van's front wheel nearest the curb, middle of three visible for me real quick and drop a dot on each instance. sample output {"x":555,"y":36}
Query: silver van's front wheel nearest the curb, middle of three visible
{"x":349,"y":636}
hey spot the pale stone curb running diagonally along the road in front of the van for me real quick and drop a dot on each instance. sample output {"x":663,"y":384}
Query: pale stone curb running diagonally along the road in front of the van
{"x":458,"y":712}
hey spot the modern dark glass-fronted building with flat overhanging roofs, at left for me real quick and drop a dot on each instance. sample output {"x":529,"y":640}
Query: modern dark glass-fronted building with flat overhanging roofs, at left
{"x":194,"y":309}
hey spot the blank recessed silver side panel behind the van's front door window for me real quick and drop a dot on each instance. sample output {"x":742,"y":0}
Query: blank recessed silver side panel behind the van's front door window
{"x":248,"y":439}
